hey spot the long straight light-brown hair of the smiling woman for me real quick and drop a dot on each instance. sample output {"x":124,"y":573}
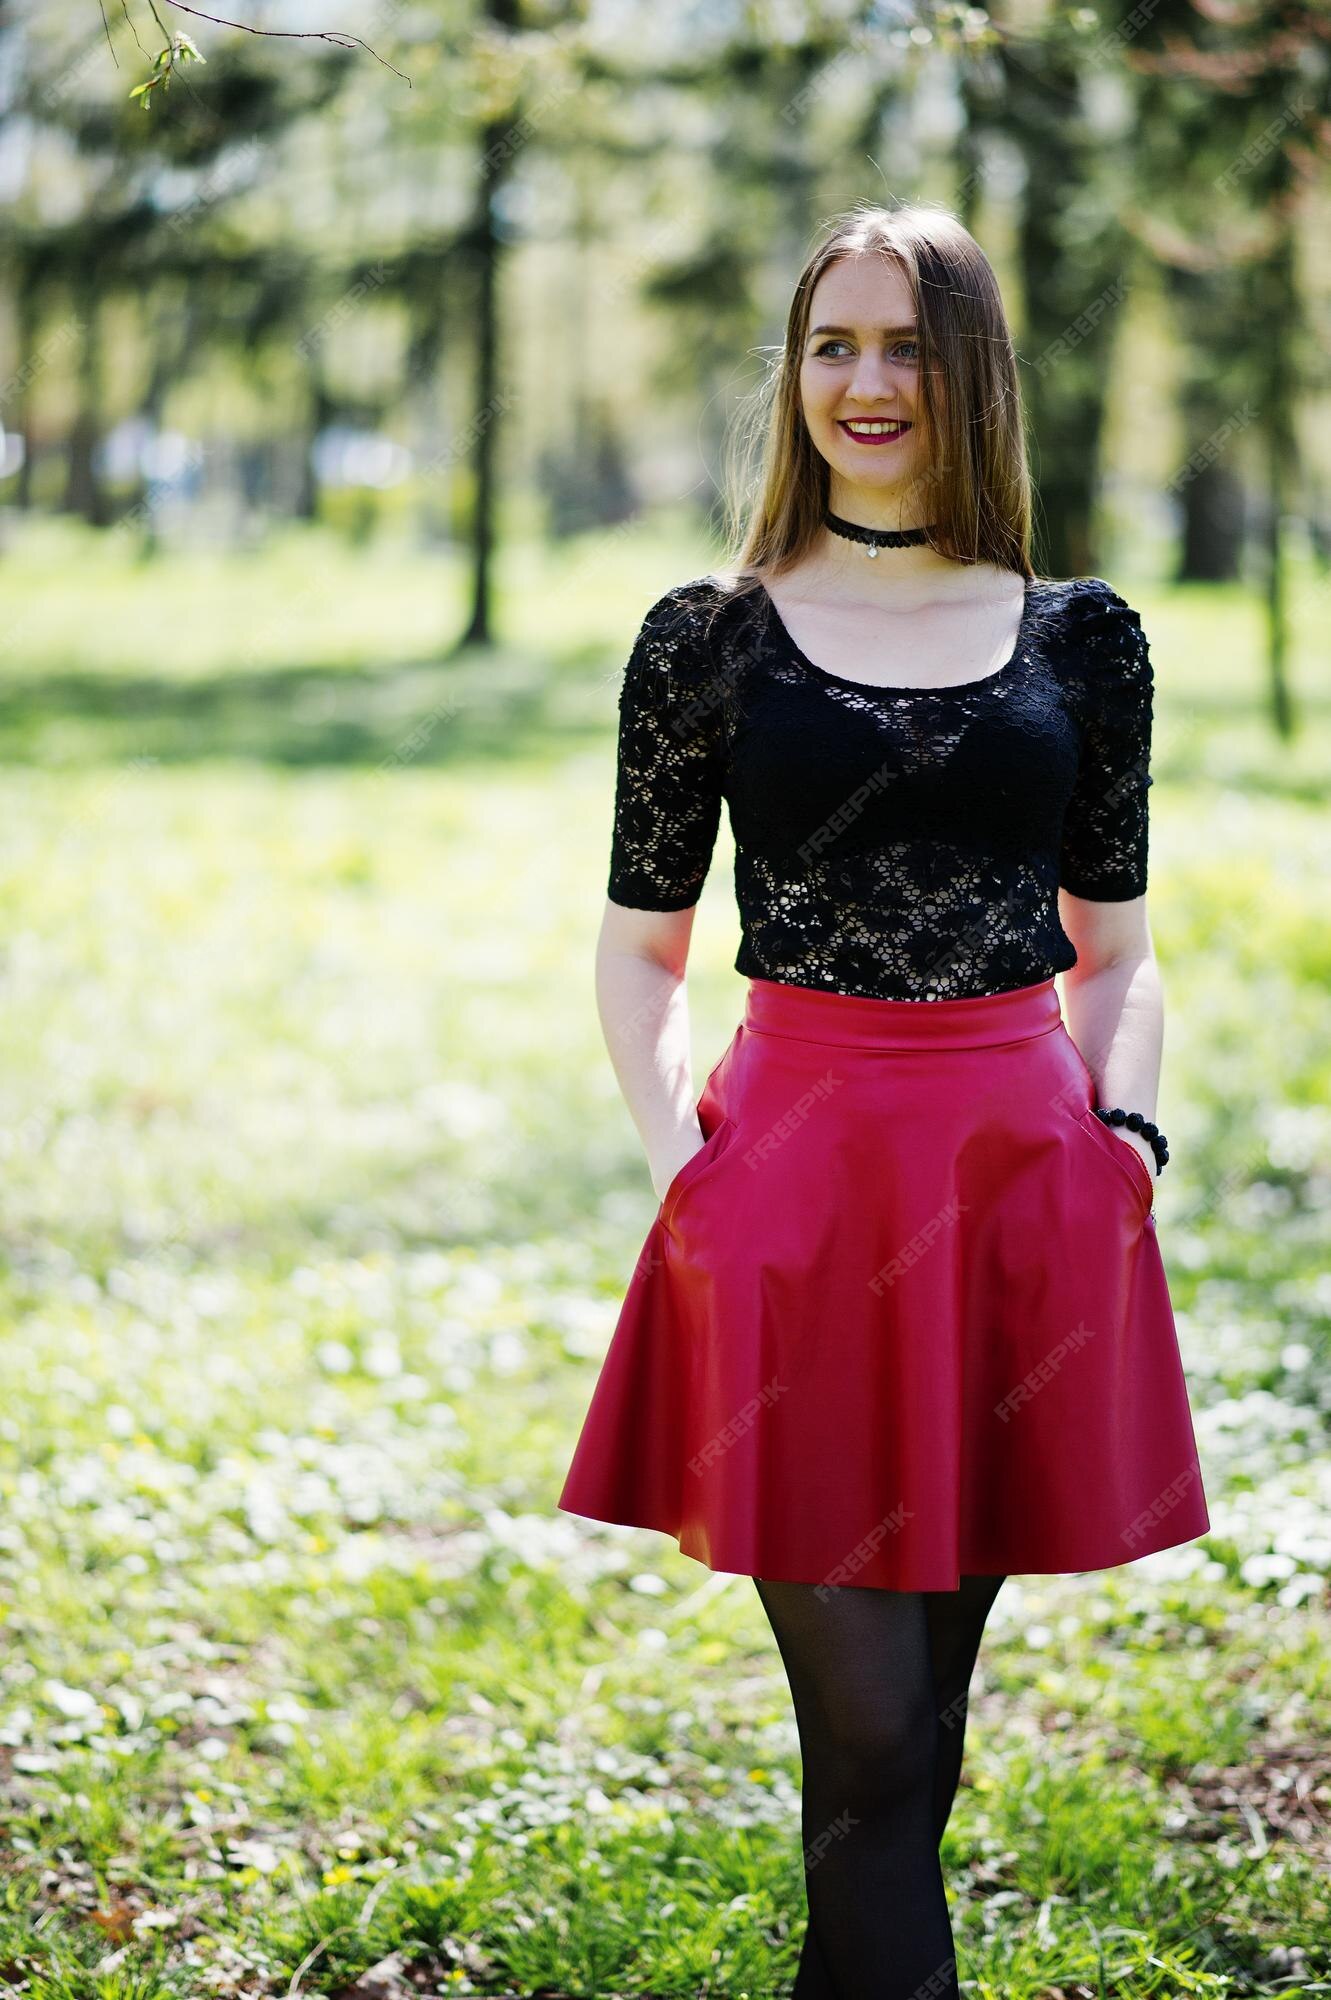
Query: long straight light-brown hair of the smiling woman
{"x":978,"y":477}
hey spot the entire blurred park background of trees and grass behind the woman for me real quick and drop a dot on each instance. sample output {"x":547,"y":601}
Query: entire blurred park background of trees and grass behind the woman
{"x":359,"y":395}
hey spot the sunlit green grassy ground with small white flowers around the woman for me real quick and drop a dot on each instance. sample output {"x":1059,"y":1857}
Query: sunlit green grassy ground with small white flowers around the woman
{"x":319,"y":1211}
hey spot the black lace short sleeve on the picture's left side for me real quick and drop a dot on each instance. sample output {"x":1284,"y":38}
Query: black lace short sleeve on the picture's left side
{"x":670,"y":763}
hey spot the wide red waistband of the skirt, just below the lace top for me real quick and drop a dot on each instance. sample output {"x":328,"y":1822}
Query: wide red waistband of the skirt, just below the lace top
{"x":858,"y":1021}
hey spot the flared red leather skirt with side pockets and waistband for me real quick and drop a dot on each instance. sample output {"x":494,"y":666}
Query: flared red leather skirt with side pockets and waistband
{"x":904,"y":1317}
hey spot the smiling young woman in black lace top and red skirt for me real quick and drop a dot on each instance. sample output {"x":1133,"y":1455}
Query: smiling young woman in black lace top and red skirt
{"x":900,"y":1327}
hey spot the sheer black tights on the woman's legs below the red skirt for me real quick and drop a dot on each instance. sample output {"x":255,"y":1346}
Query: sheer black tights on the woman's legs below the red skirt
{"x":880,"y":1687}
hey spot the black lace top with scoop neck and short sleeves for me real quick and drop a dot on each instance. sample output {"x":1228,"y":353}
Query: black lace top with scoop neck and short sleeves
{"x":900,"y":843}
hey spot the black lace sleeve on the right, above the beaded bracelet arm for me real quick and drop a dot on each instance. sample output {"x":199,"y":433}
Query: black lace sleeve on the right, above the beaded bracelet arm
{"x":1104,"y":845}
